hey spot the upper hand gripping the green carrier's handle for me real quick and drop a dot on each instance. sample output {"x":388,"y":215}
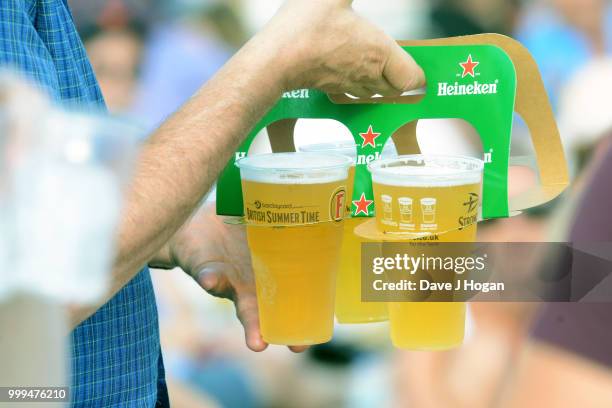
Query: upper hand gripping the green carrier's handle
{"x":325,"y":45}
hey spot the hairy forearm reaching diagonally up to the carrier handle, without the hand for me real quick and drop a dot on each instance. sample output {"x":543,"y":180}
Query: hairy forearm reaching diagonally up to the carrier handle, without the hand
{"x":183,"y":158}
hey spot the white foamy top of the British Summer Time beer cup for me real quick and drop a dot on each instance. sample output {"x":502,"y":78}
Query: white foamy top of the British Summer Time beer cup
{"x":294,"y":168}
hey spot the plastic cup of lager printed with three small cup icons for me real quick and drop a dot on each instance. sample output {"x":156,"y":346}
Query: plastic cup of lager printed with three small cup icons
{"x":447,"y":190}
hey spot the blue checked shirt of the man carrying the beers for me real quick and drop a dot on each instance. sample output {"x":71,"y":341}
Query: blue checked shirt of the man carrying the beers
{"x":116,"y":357}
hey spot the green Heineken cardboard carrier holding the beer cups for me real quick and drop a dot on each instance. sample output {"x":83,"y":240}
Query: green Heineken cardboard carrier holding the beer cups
{"x":482,"y":79}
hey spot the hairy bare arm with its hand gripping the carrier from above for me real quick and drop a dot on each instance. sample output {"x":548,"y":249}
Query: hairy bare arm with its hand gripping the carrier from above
{"x":309,"y":43}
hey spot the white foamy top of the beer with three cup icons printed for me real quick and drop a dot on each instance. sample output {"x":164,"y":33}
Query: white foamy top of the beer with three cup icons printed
{"x":431,"y":174}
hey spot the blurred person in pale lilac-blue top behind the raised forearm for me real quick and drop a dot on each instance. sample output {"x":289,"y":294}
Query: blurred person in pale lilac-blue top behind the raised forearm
{"x":182,"y":52}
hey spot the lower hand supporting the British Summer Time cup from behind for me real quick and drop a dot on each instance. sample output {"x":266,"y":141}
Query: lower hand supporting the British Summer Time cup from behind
{"x":216,"y":255}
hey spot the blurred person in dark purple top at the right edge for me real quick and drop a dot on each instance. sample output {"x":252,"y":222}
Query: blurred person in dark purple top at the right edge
{"x":570,"y":348}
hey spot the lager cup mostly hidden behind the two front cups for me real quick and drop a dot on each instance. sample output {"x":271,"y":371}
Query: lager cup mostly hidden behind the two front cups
{"x":349,"y":307}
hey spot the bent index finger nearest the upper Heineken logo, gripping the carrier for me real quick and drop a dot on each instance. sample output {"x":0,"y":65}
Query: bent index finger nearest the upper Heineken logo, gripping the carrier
{"x":401,"y":71}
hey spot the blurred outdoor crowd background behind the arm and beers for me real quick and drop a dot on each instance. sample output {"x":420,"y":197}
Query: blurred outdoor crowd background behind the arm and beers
{"x":134,"y":46}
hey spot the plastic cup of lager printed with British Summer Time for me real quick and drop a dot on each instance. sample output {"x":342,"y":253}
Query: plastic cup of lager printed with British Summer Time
{"x":294,"y":208}
